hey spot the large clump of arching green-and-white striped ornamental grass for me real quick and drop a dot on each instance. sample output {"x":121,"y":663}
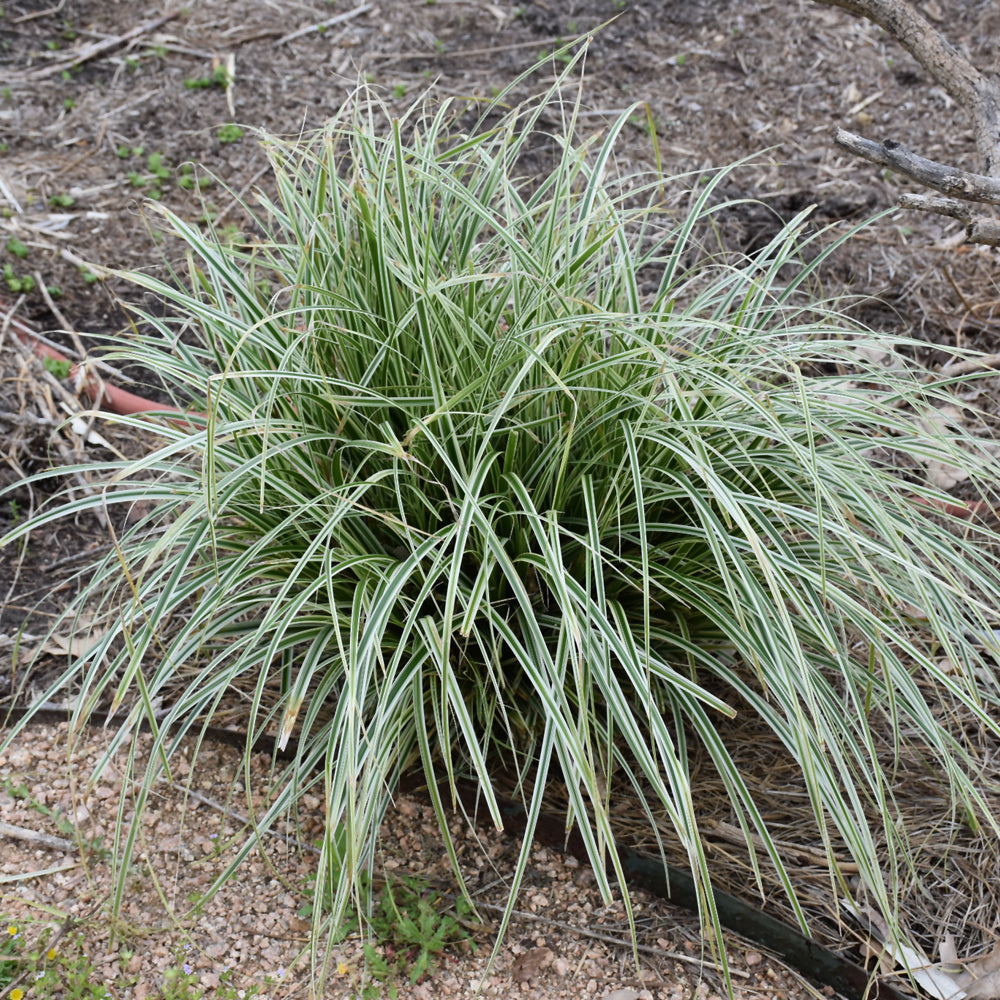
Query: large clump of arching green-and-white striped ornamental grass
{"x":492,"y":467}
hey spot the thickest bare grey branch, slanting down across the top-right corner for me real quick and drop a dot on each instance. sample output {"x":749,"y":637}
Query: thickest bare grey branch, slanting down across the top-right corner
{"x":978,"y":94}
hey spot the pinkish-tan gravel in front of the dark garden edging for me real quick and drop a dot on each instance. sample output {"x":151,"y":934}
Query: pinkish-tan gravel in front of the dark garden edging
{"x":563,"y":942}
